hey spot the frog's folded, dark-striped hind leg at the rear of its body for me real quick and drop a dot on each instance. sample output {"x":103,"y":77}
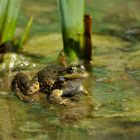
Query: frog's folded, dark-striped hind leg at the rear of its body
{"x":24,"y":88}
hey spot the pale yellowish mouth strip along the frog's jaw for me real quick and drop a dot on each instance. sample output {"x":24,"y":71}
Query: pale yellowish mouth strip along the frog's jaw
{"x":75,"y":76}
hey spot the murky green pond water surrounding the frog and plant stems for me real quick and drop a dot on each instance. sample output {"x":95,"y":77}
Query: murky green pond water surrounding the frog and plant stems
{"x":112,"y":109}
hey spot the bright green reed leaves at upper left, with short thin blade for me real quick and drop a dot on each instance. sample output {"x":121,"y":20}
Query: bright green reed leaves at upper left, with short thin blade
{"x":9,"y":10}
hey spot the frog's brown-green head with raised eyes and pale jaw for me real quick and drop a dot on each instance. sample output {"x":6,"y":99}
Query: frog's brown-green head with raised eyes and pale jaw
{"x":74,"y":72}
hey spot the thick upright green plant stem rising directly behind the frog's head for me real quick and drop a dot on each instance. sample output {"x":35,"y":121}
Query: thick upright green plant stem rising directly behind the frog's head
{"x":74,"y":30}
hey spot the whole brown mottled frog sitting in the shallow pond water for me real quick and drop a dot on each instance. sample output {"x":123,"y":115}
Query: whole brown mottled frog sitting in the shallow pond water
{"x":58,"y":83}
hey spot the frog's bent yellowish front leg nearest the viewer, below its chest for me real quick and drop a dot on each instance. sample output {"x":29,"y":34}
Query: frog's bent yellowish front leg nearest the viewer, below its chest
{"x":55,"y":97}
